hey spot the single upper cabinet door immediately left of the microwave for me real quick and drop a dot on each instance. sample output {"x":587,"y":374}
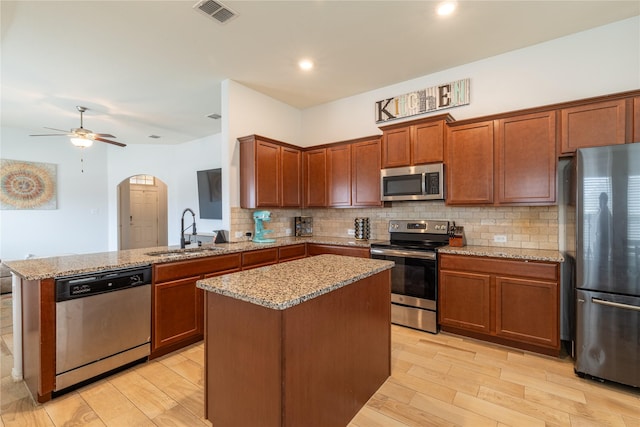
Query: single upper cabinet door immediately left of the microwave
{"x":365,"y":167}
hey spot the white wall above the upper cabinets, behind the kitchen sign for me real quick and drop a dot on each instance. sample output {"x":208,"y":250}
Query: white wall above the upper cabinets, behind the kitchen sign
{"x":597,"y":62}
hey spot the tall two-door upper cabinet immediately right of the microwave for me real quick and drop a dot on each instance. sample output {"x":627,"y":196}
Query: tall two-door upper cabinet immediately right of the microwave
{"x":506,"y":161}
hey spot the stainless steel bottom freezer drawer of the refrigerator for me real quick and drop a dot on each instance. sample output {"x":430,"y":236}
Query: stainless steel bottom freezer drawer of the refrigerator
{"x":608,"y":336}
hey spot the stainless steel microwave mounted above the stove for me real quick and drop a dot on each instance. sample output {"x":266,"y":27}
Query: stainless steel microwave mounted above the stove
{"x":423,"y":182}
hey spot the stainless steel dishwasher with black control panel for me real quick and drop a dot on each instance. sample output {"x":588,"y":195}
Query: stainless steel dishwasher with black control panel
{"x":103,"y":322}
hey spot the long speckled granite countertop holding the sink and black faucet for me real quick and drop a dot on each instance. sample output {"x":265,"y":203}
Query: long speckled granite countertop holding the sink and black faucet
{"x":60,"y":266}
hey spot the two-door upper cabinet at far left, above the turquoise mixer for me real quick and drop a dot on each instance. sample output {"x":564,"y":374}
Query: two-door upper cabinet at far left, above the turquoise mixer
{"x":270,"y":173}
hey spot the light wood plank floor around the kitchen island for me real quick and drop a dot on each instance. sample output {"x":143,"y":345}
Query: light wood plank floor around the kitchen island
{"x":439,"y":380}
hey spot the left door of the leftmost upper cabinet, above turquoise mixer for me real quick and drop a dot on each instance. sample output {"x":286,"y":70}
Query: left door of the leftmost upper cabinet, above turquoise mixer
{"x":267,"y":174}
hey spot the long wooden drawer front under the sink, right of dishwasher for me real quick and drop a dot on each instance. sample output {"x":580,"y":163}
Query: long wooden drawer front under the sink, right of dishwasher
{"x":195,"y":267}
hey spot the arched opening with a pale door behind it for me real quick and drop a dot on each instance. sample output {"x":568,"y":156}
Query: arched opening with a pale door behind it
{"x":142,"y":212}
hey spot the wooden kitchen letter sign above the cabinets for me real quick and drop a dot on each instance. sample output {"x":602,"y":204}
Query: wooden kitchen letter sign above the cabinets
{"x":422,"y":101}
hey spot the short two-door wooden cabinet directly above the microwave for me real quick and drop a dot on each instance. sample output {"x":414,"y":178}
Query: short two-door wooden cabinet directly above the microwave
{"x":415,"y":142}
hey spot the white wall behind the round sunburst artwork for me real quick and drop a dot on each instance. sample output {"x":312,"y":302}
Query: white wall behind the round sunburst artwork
{"x":79,"y":224}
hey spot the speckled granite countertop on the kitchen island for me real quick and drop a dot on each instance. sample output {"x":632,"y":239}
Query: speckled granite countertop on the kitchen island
{"x":284,"y":285}
